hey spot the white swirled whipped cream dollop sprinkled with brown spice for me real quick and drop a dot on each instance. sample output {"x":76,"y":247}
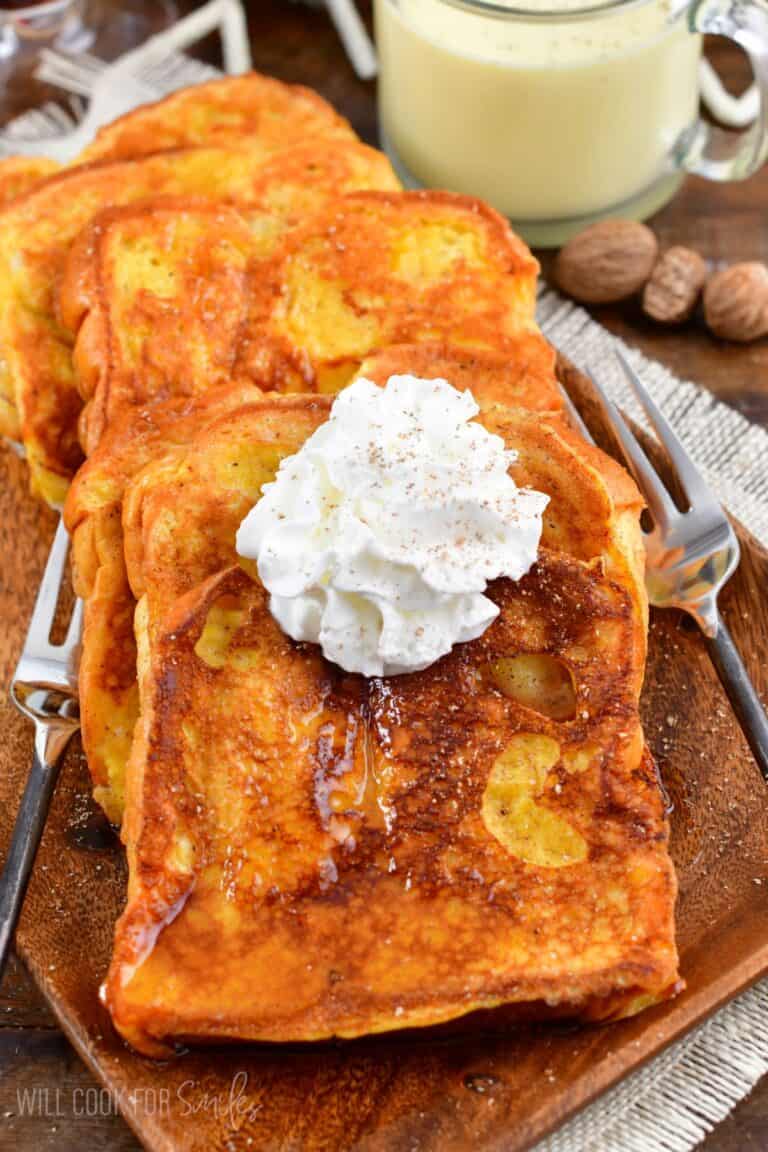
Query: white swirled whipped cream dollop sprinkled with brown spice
{"x":378,"y":539}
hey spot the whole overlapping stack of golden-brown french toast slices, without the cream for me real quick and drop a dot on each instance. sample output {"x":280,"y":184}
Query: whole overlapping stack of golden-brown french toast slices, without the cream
{"x":314,"y":853}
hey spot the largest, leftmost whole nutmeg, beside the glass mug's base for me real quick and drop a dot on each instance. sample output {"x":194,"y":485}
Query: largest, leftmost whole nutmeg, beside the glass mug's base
{"x":607,"y":262}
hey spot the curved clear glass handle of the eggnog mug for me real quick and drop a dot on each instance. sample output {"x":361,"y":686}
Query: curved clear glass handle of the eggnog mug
{"x":713,"y":153}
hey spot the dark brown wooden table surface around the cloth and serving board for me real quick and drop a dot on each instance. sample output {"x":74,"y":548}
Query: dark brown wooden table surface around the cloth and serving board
{"x":48,"y":1098}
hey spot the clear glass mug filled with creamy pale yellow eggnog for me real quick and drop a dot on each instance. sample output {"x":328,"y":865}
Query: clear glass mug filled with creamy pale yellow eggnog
{"x":559,"y":113}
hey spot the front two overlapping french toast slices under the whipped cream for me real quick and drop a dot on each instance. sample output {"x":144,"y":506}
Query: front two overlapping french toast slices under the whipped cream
{"x":389,"y":853}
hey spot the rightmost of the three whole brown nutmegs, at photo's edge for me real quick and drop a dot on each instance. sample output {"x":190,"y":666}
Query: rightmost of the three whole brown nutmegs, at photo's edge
{"x":736,"y":302}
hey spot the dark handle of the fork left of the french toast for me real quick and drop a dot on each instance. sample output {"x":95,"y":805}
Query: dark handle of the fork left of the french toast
{"x":50,"y":744}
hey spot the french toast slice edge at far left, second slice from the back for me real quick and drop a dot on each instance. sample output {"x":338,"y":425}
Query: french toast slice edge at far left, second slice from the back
{"x":42,"y":401}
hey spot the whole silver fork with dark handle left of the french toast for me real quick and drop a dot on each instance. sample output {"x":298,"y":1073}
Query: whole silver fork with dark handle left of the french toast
{"x":45,"y":689}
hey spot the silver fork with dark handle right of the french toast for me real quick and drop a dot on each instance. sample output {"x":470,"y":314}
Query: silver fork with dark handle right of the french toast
{"x":690,"y":555}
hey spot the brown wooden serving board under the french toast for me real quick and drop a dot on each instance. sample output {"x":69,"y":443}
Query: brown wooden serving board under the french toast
{"x":481,"y":1089}
